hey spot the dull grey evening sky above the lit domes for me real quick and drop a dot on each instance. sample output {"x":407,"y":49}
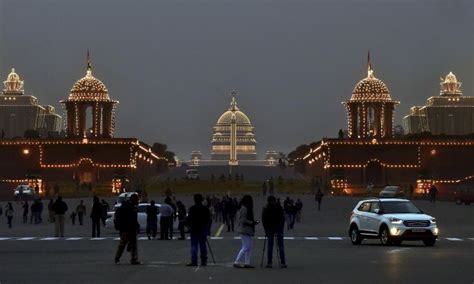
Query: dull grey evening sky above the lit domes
{"x":171,"y":63}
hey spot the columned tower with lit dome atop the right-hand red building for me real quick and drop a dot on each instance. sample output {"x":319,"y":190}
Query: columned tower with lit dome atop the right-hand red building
{"x":370,"y":109}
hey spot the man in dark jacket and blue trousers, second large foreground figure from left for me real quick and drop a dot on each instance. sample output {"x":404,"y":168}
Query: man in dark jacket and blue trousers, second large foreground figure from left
{"x":199,"y":218}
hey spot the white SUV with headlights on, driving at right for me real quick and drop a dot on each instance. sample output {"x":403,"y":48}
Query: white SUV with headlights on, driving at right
{"x":391,"y":220}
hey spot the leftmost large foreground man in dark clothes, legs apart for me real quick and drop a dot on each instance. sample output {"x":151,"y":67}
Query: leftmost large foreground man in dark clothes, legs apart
{"x":126,"y":223}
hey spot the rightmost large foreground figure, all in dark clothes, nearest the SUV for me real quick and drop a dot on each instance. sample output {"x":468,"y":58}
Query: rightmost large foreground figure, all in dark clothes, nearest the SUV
{"x":273,"y":219}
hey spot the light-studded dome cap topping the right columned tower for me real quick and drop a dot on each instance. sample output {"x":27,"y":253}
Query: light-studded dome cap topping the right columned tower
{"x":370,"y":89}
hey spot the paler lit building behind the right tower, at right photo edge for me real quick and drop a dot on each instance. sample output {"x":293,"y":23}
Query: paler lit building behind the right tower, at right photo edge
{"x":450,"y":113}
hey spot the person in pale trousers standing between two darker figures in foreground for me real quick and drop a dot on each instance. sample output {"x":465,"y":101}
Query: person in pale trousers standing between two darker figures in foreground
{"x":246,"y":230}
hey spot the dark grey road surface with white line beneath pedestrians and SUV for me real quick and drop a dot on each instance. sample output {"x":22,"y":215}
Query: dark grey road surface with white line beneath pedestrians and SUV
{"x":318,"y":251}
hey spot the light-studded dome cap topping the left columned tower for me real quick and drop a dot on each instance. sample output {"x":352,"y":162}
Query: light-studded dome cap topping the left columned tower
{"x":89,"y":88}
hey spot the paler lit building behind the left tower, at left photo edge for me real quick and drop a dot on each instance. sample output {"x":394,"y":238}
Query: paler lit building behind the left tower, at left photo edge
{"x":20,"y":112}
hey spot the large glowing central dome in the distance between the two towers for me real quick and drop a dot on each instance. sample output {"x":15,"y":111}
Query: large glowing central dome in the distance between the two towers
{"x":233,"y":136}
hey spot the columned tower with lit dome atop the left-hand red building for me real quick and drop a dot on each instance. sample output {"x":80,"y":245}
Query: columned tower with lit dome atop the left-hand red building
{"x":89,"y":92}
